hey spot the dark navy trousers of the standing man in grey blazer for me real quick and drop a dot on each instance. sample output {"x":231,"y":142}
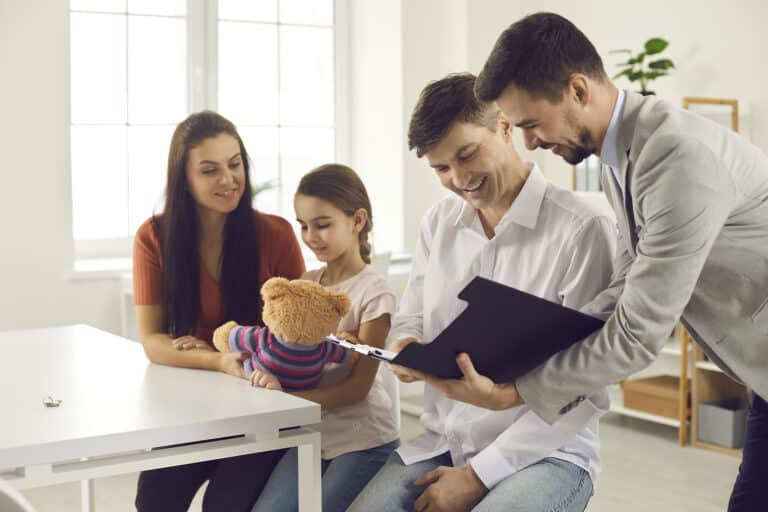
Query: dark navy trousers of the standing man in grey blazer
{"x":749,"y":489}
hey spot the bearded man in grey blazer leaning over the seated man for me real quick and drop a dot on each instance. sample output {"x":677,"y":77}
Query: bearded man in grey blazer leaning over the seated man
{"x":691,"y":199}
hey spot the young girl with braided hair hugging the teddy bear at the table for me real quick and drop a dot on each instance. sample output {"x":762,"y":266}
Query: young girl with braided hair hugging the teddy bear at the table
{"x":360,"y":421}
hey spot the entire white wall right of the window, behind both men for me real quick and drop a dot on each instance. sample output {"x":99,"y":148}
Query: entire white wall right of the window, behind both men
{"x":713,"y":44}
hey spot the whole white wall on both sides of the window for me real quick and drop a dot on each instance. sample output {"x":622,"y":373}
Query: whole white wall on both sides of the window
{"x":395,"y":47}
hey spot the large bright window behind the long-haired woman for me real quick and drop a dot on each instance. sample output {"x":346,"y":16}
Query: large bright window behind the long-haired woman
{"x":138,"y":67}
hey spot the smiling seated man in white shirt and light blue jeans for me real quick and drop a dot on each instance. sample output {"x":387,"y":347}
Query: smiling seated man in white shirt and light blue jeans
{"x":505,"y":222}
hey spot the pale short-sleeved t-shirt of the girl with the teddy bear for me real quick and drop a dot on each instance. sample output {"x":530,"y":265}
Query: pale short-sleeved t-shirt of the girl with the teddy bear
{"x":375,"y":420}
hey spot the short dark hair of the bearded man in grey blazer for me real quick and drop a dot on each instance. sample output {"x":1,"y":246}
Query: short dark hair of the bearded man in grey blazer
{"x":538,"y":54}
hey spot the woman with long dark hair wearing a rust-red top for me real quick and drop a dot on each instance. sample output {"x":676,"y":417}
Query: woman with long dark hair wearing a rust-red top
{"x":195,"y":266}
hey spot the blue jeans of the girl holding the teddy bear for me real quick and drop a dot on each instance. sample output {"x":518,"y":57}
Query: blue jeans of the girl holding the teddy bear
{"x":343,"y":478}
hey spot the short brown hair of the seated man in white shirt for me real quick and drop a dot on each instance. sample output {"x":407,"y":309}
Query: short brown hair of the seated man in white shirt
{"x":442,"y":103}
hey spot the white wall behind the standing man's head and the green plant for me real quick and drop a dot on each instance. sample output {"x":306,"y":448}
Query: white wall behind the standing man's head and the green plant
{"x":717,"y":46}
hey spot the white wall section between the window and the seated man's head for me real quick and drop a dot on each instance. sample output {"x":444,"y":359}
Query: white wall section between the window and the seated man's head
{"x":396,"y":47}
